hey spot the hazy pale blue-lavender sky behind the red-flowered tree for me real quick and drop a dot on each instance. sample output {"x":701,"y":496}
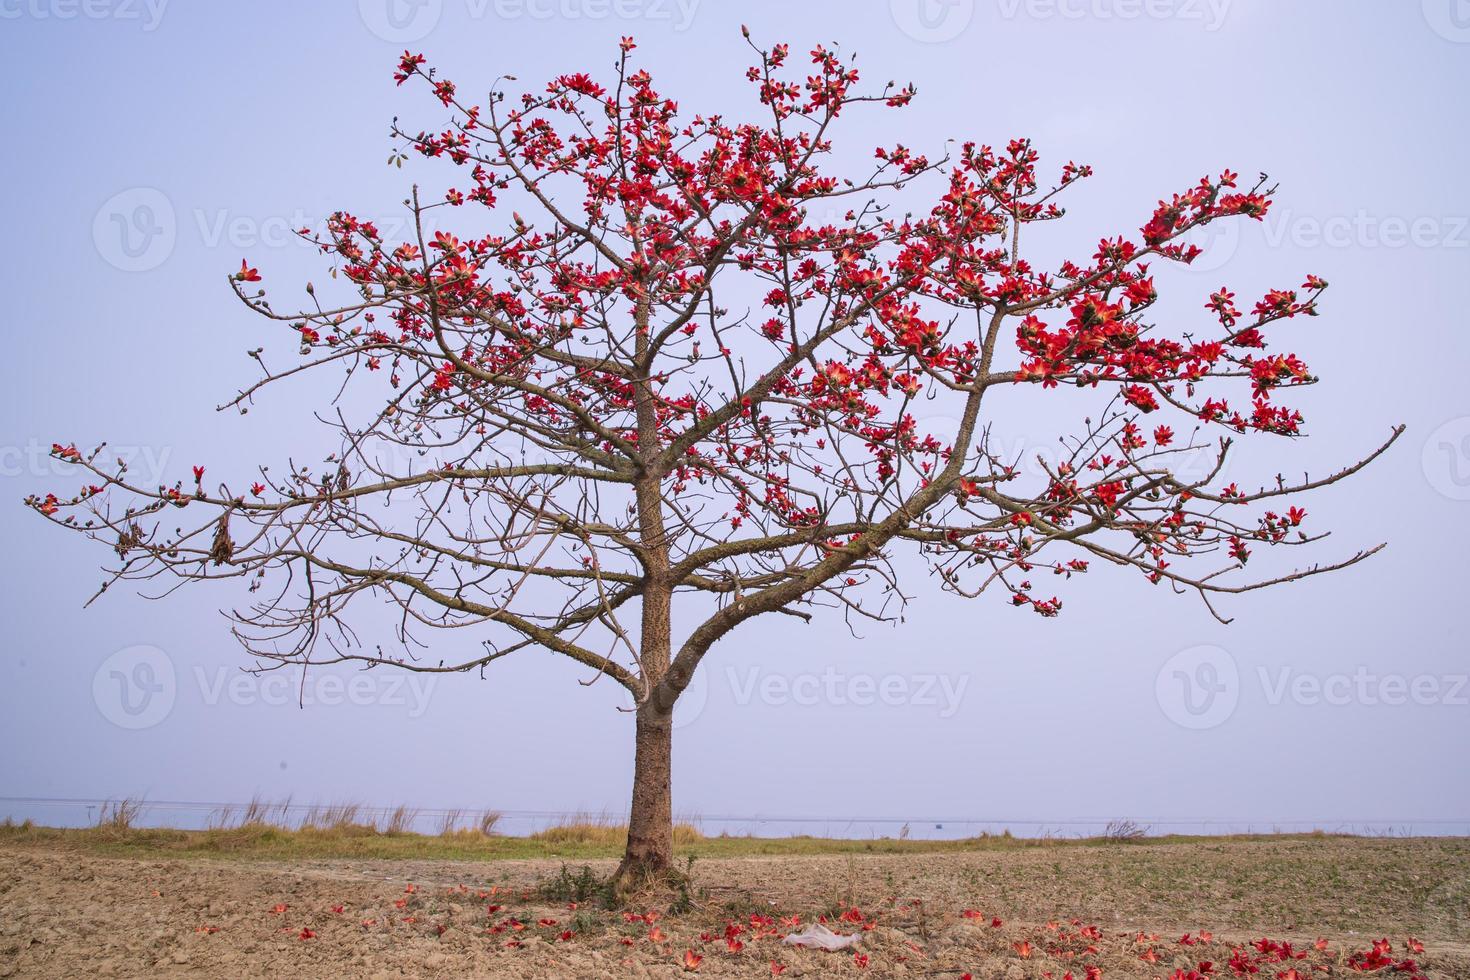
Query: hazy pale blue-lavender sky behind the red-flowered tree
{"x":152,"y":146}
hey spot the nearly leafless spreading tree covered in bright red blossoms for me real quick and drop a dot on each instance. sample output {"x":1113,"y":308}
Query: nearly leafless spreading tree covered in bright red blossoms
{"x":690,"y":381}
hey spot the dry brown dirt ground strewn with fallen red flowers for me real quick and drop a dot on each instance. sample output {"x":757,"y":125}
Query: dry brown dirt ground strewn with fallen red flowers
{"x":1266,"y":909}
